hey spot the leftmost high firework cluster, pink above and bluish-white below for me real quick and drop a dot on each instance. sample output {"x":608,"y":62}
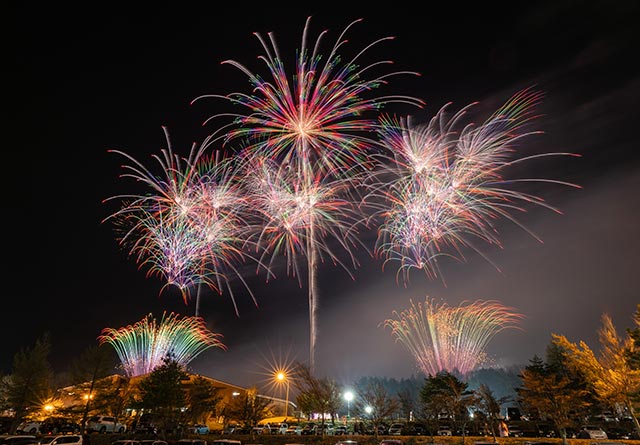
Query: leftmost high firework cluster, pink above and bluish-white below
{"x":191,"y":226}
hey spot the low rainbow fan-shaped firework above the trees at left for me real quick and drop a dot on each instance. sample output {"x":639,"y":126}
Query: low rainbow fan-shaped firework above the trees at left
{"x":142,"y":346}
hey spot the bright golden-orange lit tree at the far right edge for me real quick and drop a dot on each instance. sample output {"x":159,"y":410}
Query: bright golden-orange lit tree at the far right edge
{"x":611,"y":374}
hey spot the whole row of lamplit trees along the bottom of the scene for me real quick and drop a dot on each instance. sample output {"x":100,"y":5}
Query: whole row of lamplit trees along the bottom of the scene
{"x":571,"y":383}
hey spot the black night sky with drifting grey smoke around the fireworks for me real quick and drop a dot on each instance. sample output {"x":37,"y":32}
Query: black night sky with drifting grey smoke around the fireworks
{"x":84,"y":81}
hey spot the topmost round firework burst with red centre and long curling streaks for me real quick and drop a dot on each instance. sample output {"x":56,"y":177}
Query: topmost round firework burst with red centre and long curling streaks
{"x":318,"y":118}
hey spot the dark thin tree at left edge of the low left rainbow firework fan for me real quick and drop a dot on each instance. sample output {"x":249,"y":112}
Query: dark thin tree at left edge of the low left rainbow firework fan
{"x":88,"y":374}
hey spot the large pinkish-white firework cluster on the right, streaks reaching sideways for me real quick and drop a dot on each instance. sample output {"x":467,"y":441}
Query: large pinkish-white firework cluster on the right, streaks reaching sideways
{"x":442,"y":188}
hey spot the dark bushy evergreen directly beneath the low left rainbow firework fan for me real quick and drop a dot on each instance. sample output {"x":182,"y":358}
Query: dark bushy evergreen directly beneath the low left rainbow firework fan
{"x":163,"y":393}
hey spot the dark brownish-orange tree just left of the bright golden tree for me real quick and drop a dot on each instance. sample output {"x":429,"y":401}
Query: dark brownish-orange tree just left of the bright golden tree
{"x":551,"y":394}
